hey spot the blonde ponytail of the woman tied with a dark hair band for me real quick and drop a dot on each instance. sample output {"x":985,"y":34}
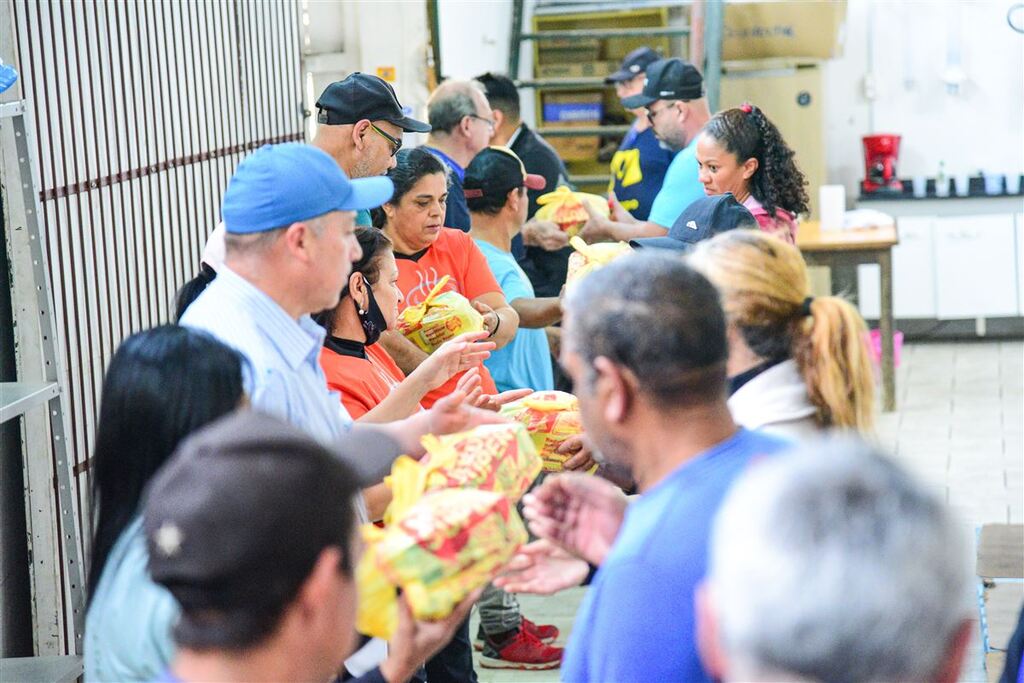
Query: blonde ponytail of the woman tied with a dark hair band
{"x":831,"y":353}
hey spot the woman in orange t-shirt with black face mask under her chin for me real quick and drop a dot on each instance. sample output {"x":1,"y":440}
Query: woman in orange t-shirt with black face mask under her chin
{"x":372,"y":387}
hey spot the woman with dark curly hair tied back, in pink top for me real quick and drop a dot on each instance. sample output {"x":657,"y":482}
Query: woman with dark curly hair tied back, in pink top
{"x":740,"y":151}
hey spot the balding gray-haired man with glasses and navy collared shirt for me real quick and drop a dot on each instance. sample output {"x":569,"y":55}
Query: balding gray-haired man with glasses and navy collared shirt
{"x":462,"y":124}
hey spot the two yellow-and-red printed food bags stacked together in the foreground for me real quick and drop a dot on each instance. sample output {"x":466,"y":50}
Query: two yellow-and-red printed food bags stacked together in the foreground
{"x":452,"y":525}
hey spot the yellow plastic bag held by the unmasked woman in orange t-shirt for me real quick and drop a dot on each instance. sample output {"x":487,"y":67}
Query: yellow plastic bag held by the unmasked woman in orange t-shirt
{"x":442,"y":317}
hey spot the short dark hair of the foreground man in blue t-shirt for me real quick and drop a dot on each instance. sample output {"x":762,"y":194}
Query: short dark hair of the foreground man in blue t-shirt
{"x":658,"y":318}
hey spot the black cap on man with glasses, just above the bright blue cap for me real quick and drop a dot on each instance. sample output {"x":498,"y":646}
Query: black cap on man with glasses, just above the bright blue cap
{"x":364,"y":97}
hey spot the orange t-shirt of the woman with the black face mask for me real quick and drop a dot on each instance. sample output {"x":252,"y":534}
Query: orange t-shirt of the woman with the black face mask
{"x":364,"y":383}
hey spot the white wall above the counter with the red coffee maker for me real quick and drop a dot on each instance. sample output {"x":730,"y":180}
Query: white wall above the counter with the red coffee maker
{"x":901,"y":50}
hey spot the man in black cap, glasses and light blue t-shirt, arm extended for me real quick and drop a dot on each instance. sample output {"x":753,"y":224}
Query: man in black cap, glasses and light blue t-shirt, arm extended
{"x":673,"y":96}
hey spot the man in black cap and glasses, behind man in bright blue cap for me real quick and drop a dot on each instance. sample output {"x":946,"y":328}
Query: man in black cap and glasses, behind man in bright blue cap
{"x":361,"y":123}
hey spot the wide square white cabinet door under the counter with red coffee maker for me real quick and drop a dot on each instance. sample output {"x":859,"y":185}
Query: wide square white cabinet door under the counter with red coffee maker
{"x":975,"y":267}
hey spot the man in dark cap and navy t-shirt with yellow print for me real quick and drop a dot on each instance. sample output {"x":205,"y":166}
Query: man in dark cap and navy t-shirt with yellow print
{"x":639,"y":166}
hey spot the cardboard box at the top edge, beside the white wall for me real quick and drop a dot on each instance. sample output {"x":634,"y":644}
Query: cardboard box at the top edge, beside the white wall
{"x":789,"y":29}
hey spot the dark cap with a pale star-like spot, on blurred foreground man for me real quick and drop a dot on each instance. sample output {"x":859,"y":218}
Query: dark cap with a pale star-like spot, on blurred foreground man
{"x":239,"y":516}
